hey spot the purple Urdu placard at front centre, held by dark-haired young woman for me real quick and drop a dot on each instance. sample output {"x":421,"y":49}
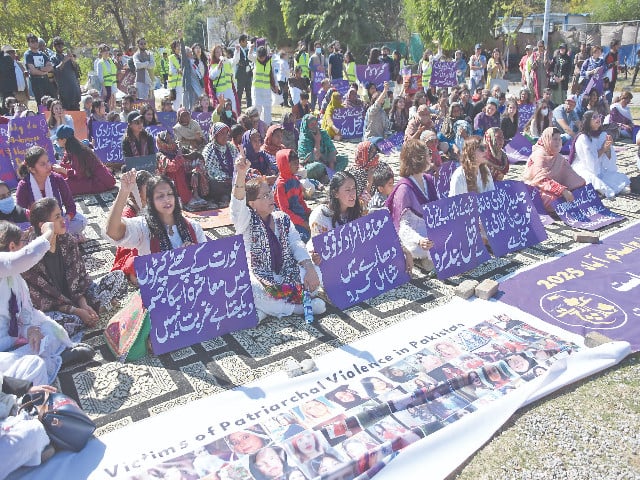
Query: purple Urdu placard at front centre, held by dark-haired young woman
{"x":361,"y":259}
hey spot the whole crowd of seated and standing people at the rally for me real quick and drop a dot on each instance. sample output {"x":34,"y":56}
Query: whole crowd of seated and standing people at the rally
{"x":264,"y":171}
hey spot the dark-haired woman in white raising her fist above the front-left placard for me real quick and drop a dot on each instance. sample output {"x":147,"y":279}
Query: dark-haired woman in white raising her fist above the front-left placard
{"x":162,"y":226}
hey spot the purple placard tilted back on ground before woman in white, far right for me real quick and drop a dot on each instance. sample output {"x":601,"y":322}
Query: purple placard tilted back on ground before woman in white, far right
{"x":586,"y":211}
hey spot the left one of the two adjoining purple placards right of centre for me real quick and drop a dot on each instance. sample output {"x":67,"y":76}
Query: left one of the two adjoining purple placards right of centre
{"x":454,"y":228}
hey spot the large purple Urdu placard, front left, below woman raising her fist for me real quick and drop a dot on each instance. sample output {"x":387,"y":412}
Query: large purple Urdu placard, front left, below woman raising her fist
{"x":196,"y":293}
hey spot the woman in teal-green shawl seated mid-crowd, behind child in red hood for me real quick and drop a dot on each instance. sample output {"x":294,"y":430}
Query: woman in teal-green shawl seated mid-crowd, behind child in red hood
{"x":317,"y":151}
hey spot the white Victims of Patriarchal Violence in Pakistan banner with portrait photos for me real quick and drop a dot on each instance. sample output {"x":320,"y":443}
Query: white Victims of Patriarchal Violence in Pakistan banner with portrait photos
{"x":420,"y":396}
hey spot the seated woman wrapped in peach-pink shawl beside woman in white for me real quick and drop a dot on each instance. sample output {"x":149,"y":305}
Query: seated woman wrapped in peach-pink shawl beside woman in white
{"x":549,"y":171}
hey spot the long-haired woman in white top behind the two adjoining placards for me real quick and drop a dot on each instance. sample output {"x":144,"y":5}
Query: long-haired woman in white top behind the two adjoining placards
{"x":473,"y":174}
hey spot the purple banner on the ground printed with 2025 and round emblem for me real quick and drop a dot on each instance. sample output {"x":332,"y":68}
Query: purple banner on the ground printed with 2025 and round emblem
{"x":590,"y":289}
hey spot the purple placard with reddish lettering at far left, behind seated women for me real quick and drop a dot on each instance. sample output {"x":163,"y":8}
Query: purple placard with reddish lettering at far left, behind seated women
{"x":26,"y":132}
